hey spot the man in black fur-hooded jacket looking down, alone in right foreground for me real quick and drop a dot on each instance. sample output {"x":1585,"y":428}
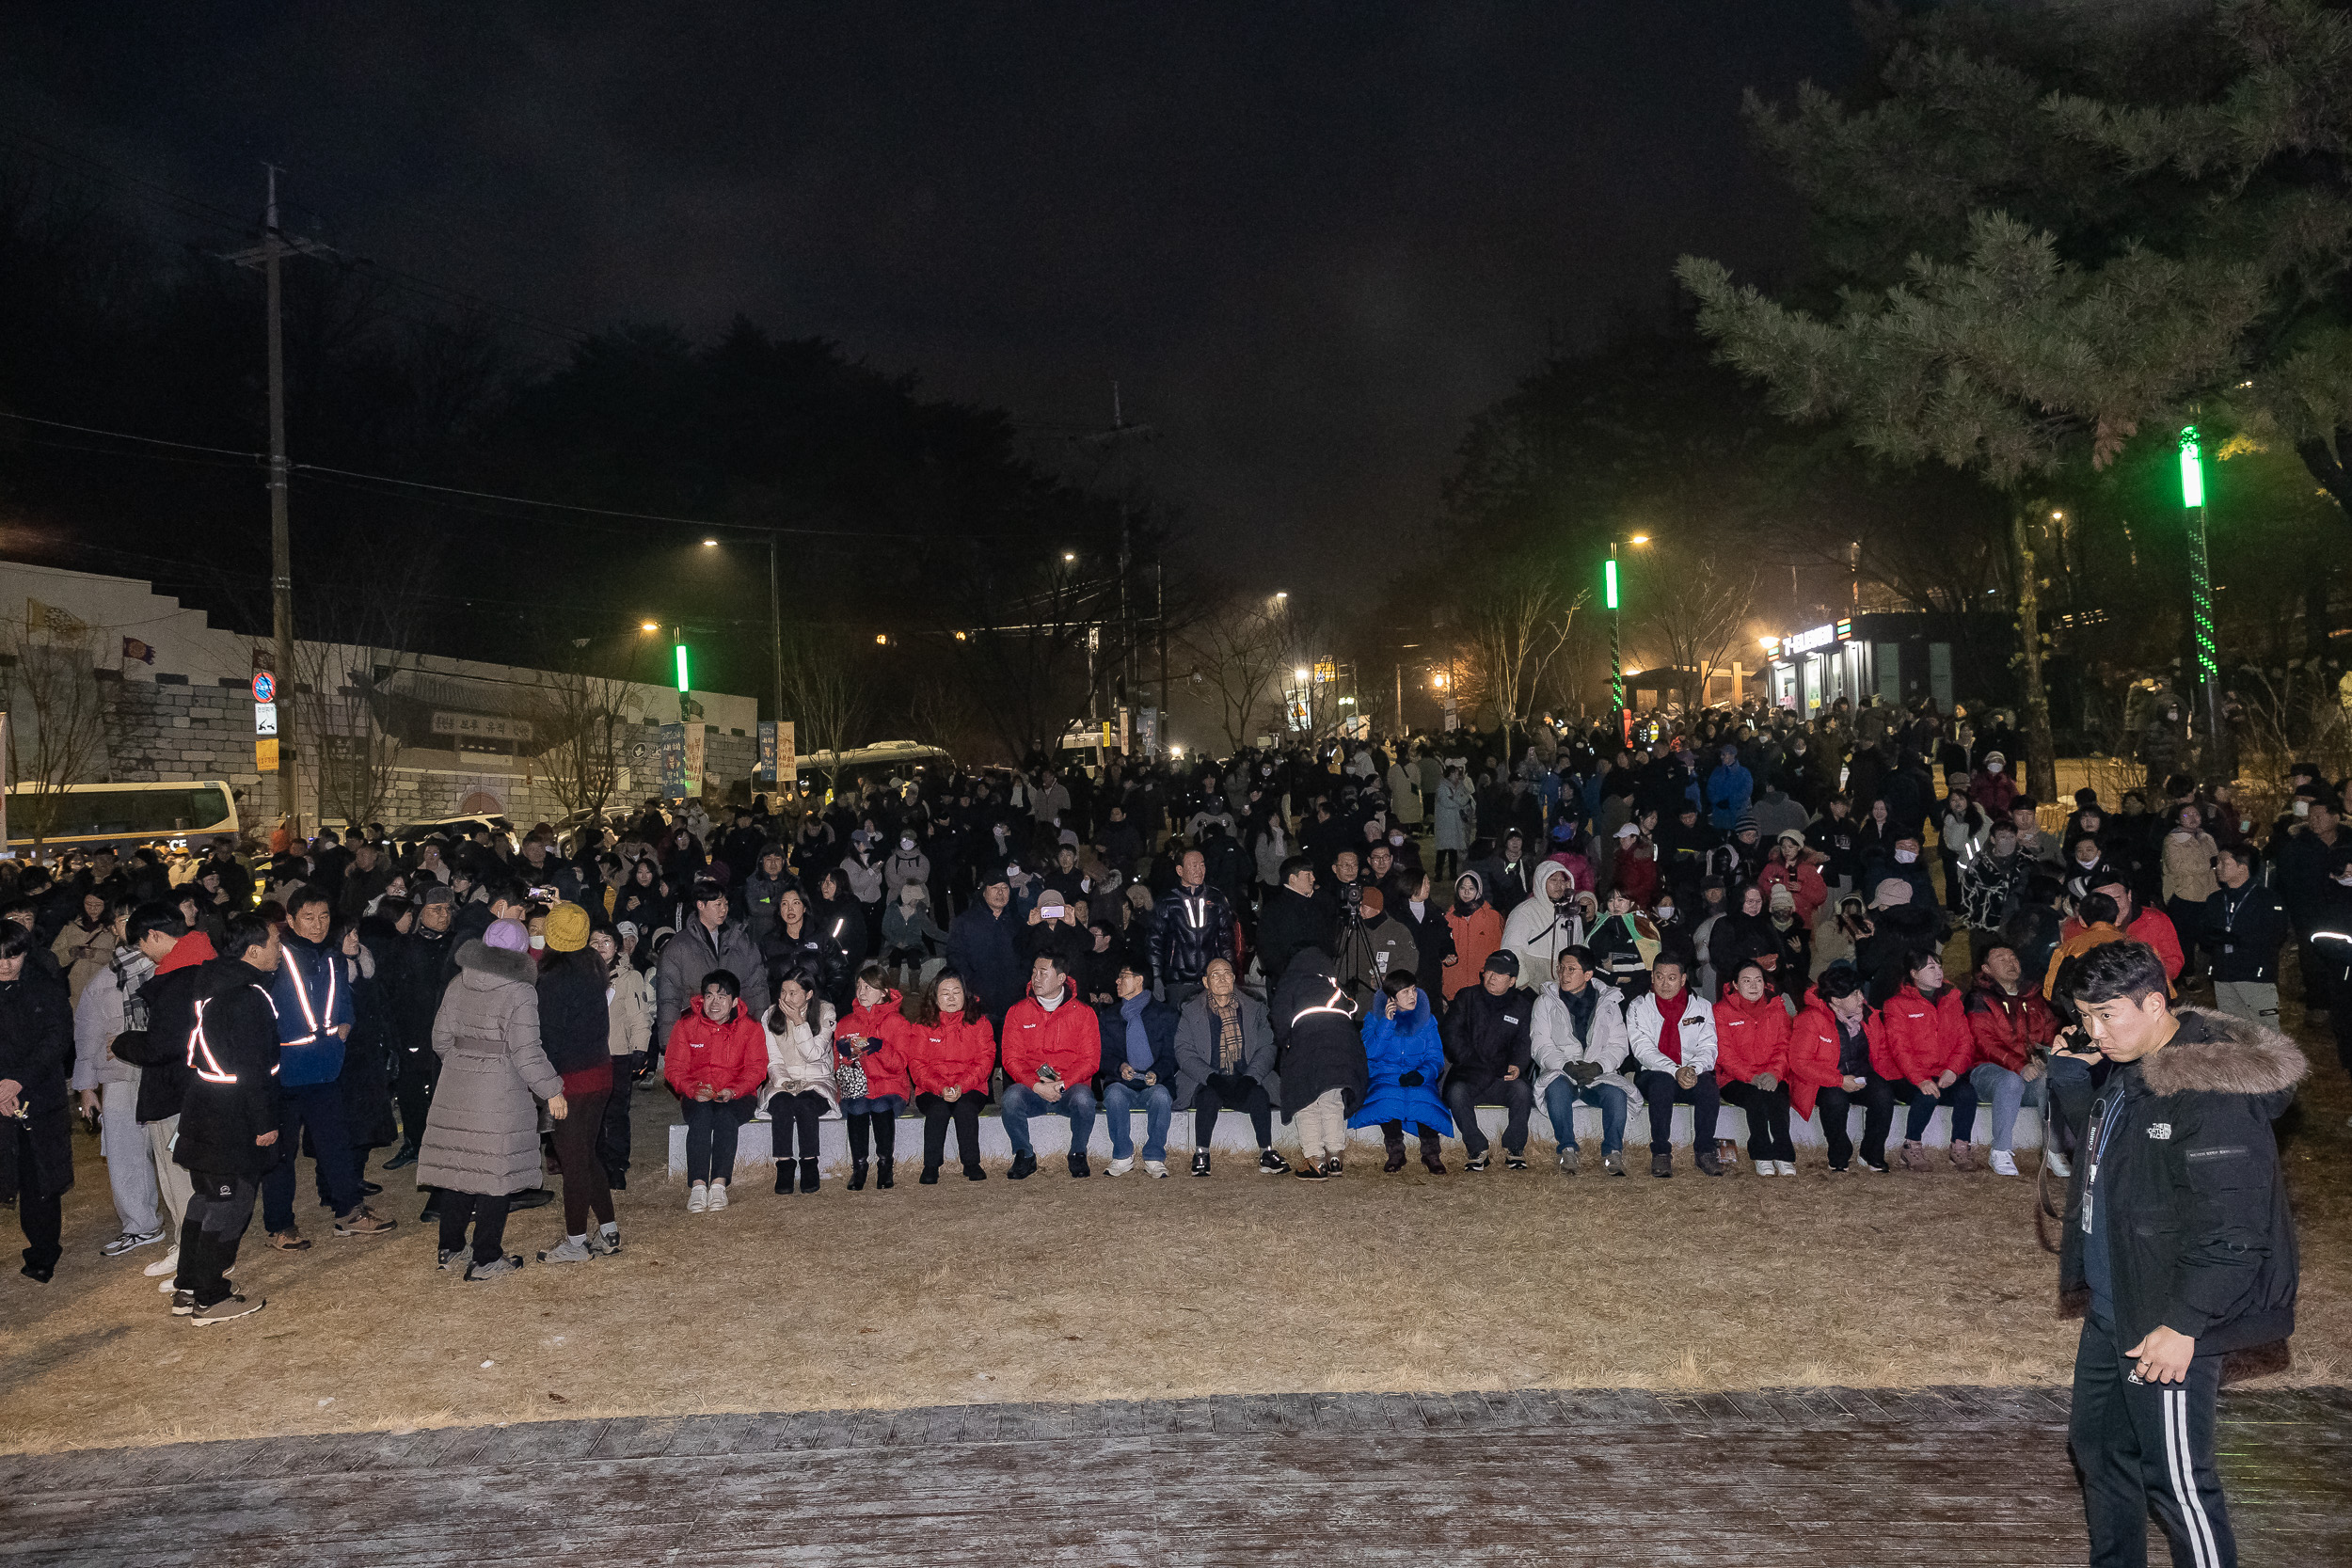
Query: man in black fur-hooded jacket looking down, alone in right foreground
{"x":2177,"y":1226}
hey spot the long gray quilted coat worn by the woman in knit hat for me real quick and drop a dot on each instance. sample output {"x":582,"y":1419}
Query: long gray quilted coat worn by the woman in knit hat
{"x":483,"y":1130}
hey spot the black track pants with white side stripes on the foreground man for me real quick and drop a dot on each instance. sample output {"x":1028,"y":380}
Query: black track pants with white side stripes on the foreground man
{"x":2146,"y":1445}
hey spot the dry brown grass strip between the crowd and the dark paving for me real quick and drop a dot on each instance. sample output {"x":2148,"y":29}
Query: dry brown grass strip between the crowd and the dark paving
{"x":1111,"y":1289}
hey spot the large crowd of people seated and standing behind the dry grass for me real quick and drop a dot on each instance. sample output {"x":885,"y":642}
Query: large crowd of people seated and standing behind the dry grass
{"x":1356,"y":937}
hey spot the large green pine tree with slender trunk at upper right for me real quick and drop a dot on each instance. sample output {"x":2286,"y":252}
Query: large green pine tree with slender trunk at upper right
{"x":2062,"y":227}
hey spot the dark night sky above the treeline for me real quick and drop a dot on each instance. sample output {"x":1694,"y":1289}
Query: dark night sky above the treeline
{"x":1309,"y":239}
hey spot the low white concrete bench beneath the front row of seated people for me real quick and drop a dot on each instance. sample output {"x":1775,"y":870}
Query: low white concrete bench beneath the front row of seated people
{"x":1053,"y":1134}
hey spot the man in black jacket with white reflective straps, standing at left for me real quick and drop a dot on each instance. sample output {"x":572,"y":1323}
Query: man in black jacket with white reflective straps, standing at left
{"x":229,"y":1118}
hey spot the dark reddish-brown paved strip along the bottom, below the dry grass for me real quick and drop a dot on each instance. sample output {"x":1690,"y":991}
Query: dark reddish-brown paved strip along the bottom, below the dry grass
{"x":1805,"y":1477}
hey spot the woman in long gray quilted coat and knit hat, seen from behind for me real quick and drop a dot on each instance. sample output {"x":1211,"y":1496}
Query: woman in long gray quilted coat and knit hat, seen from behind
{"x":483,"y":1130}
